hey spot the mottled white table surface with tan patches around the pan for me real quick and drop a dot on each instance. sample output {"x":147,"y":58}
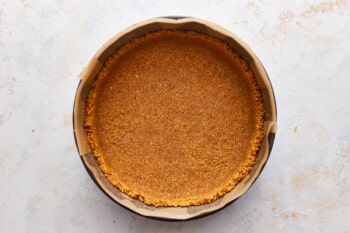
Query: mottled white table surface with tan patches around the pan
{"x":305,"y":48}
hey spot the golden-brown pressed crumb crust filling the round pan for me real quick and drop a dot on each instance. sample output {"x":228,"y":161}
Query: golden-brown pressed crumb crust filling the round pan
{"x":175,"y":118}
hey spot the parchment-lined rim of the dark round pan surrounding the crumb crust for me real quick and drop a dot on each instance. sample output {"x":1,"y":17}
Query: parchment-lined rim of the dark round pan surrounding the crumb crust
{"x":140,"y":29}
